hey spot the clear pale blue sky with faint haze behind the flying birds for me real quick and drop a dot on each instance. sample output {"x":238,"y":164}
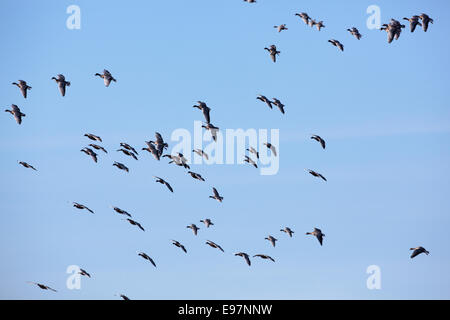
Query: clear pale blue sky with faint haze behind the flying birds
{"x":382,"y":108}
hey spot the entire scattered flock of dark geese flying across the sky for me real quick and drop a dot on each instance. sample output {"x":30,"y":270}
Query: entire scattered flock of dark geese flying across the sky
{"x":156,"y":148}
